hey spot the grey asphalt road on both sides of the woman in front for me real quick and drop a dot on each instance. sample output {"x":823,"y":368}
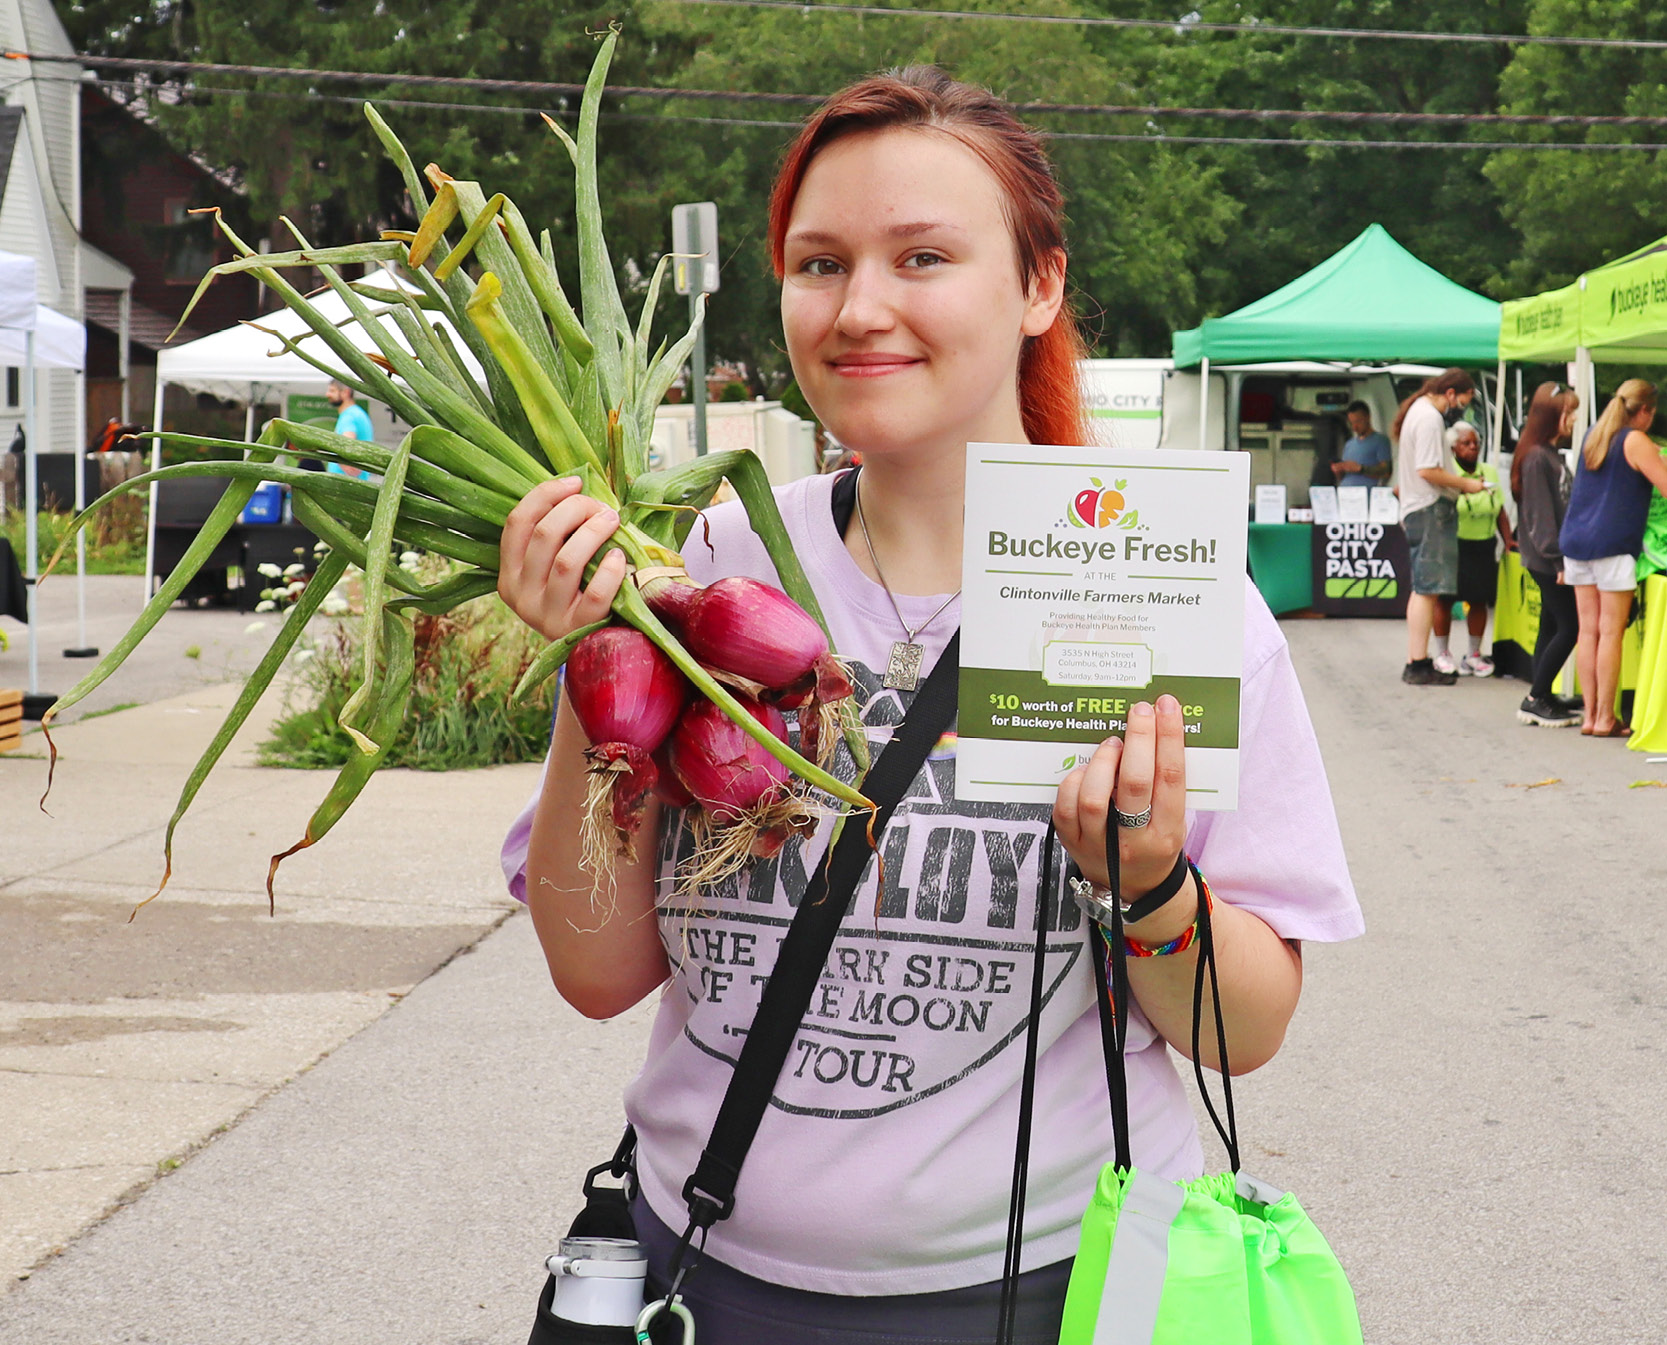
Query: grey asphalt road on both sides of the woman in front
{"x":1471,"y":1101}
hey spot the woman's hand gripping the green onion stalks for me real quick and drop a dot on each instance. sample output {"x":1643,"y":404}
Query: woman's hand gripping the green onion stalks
{"x":549,"y":541}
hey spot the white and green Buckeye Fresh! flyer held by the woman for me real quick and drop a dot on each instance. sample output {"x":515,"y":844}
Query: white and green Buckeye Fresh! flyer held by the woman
{"x":1094,"y":579}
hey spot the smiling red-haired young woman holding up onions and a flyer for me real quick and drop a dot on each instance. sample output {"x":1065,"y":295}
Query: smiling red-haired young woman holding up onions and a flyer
{"x":918,"y":232}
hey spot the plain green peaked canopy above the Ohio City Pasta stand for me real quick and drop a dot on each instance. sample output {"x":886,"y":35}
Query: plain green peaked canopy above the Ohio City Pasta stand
{"x":1373,"y":302}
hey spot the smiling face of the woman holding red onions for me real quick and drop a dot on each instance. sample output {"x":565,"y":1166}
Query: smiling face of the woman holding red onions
{"x":901,"y":296}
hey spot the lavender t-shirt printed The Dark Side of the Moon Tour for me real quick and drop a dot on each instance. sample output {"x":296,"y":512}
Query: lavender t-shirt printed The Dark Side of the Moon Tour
{"x":884,"y":1161}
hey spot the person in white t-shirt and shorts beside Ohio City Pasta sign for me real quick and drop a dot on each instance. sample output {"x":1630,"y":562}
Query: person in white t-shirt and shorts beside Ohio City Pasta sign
{"x":1429,"y":486}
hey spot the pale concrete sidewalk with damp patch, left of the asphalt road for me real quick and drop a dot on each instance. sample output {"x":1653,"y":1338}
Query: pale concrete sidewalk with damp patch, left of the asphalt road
{"x":126,"y":1046}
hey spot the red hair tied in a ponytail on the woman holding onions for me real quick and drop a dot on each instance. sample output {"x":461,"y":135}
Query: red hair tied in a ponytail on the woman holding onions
{"x":923,"y":96}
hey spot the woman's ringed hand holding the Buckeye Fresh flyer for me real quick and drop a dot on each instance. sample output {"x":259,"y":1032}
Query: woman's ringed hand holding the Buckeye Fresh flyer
{"x":1144,"y":769}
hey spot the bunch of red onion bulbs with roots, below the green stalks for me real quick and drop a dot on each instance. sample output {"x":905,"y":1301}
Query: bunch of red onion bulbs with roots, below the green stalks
{"x":653,"y":734}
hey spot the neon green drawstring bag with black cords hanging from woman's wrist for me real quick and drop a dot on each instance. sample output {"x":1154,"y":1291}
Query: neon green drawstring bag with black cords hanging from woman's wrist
{"x":1219,"y":1261}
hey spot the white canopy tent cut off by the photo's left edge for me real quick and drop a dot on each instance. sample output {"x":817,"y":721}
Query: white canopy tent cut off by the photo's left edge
{"x":38,"y":337}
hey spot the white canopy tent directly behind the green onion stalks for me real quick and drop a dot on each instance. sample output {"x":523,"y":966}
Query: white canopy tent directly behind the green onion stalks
{"x":244,"y":364}
